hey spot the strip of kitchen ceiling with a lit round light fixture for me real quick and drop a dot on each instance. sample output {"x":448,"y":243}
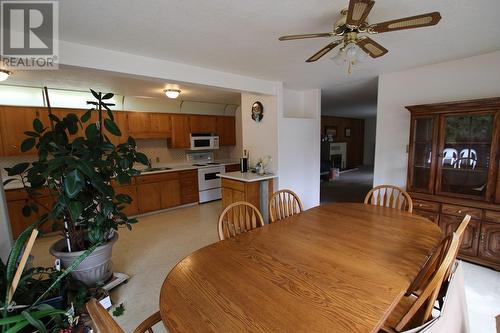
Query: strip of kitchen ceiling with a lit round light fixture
{"x":81,"y":79}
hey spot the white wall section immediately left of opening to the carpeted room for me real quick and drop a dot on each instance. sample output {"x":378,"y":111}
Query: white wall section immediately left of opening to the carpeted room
{"x":299,"y":144}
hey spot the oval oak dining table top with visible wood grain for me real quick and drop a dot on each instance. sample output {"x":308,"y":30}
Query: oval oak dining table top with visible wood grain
{"x":334,"y":268}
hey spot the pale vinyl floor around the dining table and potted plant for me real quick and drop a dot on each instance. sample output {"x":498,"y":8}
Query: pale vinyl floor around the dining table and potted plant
{"x":159,"y":241}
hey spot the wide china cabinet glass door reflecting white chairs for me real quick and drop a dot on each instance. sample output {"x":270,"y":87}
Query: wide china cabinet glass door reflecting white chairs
{"x":465,"y":152}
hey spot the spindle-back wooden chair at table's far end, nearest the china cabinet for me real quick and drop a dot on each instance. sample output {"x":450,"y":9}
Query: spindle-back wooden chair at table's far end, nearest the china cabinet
{"x":390,"y":196}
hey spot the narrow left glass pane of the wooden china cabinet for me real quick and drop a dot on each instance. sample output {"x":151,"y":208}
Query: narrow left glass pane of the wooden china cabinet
{"x":421,"y":159}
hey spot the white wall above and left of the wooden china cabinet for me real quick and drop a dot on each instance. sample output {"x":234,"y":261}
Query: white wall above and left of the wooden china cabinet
{"x":469,"y":78}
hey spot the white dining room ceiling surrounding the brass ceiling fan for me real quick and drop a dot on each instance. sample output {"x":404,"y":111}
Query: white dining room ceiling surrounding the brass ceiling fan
{"x":242,"y":37}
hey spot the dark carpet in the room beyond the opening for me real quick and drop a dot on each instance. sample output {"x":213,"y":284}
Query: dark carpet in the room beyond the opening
{"x":351,"y":186}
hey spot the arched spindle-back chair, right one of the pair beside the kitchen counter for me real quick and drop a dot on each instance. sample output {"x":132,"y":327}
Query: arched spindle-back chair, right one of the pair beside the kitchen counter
{"x":237,"y":218}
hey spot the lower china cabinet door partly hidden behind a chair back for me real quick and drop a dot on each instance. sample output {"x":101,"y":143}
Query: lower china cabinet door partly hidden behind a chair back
{"x":470,"y":238}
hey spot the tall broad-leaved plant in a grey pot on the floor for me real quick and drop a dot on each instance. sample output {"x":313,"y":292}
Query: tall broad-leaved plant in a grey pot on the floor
{"x":78,"y":170}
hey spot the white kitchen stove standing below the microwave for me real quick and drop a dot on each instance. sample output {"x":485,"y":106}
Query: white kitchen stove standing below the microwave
{"x":209,"y":185}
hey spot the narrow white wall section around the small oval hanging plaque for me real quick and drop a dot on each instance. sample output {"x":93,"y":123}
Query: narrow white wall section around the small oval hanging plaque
{"x":260,"y":138}
